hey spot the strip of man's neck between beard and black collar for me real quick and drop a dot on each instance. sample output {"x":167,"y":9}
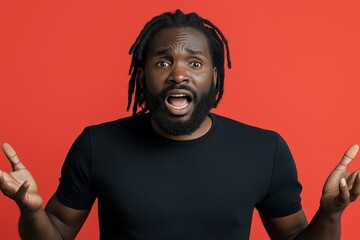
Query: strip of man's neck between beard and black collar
{"x":202,"y":130}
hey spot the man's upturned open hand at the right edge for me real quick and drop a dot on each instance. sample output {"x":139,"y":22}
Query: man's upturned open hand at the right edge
{"x":341,"y":187}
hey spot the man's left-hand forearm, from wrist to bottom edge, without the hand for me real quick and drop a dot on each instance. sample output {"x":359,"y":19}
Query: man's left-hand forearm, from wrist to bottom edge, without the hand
{"x":37,"y":226}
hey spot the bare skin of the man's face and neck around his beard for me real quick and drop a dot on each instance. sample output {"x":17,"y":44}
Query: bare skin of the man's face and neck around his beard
{"x":182,"y":57}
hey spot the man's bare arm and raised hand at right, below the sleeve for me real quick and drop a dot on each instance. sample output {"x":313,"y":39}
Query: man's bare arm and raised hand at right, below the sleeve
{"x":339,"y":190}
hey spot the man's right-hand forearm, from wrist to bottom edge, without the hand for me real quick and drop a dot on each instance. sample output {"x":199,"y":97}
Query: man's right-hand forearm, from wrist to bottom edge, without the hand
{"x":322,"y":226}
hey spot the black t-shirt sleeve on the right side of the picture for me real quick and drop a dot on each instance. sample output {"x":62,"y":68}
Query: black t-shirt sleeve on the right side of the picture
{"x":283,"y":197}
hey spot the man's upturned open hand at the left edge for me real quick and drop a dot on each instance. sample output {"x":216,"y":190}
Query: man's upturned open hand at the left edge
{"x":19,"y":184}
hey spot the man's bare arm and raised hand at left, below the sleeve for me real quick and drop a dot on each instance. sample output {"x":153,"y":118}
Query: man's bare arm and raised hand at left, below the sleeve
{"x":54,"y":222}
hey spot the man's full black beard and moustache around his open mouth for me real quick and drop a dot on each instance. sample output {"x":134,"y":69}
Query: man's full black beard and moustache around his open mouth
{"x":173,"y":125}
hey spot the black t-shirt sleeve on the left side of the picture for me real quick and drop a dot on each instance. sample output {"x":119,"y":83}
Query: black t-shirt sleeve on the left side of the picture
{"x":75,"y":189}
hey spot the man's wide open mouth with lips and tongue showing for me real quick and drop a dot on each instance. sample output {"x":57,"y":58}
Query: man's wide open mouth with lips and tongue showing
{"x":178,"y":102}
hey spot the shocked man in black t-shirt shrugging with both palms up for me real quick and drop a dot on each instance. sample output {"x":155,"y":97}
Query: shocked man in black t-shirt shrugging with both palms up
{"x":174,"y":170}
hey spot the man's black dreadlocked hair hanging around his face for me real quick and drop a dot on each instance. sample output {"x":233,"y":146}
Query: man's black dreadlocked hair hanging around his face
{"x":138,"y":50}
